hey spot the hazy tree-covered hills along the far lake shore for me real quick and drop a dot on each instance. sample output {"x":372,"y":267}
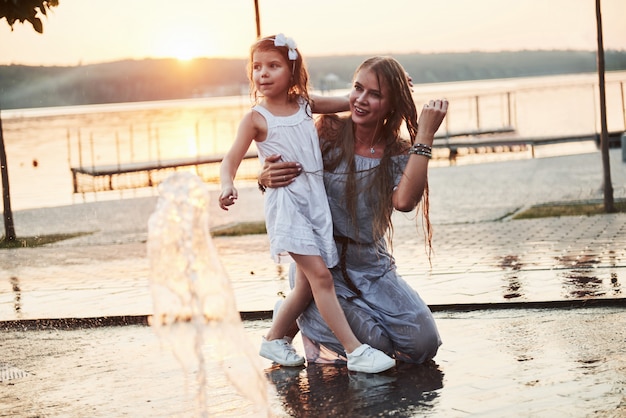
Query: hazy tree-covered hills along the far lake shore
{"x":24,"y":86}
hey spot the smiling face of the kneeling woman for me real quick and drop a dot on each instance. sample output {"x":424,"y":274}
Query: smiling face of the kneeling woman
{"x":369,"y":101}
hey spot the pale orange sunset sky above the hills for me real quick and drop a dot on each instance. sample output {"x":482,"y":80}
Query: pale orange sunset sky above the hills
{"x":89,"y":31}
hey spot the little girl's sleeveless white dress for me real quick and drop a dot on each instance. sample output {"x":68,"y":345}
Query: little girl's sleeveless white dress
{"x":297,"y":217}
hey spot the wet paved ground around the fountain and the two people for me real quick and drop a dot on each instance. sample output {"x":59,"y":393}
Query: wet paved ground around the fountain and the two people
{"x":532,"y":313}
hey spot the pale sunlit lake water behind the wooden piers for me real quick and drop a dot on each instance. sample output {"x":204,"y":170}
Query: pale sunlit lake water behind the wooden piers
{"x":43,"y":143}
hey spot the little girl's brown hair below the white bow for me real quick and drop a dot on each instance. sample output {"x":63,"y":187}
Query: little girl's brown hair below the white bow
{"x":299,"y":87}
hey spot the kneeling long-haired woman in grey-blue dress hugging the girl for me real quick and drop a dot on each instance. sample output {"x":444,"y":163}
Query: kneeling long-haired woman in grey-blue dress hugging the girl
{"x":370,"y":170}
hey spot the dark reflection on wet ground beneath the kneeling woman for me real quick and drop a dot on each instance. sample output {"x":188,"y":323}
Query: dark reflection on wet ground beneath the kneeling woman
{"x":328,"y":390}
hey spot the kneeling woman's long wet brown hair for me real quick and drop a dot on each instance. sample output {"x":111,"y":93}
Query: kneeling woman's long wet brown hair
{"x":338,"y":145}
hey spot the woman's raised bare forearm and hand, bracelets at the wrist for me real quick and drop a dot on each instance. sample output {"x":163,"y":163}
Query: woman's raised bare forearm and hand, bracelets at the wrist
{"x":411,"y":186}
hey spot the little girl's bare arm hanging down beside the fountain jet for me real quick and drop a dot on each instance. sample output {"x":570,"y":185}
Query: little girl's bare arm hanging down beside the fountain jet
{"x":246,"y":133}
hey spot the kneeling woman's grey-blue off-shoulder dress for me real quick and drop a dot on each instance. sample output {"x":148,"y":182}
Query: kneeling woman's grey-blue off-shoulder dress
{"x":387,"y":314}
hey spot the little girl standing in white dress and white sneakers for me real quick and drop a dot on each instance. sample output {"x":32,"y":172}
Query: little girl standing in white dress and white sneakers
{"x":297,"y":217}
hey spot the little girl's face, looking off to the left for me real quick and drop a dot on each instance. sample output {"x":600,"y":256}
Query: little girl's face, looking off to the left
{"x":271,"y":74}
